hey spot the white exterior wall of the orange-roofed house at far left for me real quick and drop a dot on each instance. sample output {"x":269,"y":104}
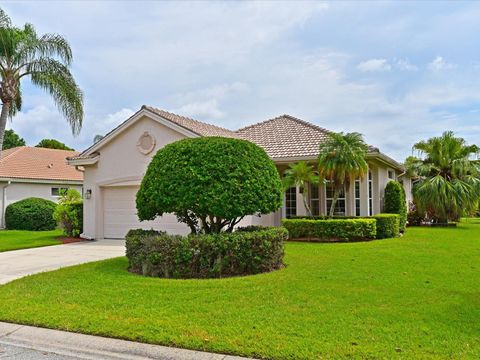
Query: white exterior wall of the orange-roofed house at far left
{"x":18,"y":191}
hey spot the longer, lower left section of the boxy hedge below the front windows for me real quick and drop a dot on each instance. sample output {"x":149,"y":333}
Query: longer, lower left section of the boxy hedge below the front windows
{"x":331,"y":229}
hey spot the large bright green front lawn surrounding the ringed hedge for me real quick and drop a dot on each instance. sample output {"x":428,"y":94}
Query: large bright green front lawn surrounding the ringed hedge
{"x":412,"y":297}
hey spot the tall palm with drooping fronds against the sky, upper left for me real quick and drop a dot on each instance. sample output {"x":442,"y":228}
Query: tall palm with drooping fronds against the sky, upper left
{"x":45,"y":60}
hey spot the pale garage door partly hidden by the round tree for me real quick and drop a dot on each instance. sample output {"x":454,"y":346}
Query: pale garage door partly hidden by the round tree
{"x":120,"y":215}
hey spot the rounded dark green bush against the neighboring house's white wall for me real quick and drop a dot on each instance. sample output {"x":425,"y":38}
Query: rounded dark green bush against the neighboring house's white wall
{"x":31,"y":214}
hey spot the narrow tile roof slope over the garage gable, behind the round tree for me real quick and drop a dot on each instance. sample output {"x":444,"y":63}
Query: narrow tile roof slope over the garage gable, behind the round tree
{"x":195,"y":126}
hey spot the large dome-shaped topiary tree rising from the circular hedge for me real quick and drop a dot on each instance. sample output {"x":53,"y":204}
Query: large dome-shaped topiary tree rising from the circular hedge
{"x":210,"y":183}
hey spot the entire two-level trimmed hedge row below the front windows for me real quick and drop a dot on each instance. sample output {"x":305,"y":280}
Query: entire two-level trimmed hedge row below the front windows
{"x":346,"y":229}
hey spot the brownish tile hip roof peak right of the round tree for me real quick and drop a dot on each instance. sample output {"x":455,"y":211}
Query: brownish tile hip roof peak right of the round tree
{"x":285,"y":136}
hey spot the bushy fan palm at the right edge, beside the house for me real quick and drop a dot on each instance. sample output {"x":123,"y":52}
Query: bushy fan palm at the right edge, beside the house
{"x":448,"y":178}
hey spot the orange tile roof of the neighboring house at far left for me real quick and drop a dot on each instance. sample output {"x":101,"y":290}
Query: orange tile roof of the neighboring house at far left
{"x":39,"y":164}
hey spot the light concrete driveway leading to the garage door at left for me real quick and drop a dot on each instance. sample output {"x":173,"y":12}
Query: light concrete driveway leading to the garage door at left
{"x":20,"y":263}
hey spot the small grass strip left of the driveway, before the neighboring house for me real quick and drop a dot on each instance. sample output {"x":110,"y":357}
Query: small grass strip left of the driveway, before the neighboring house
{"x":19,"y":239}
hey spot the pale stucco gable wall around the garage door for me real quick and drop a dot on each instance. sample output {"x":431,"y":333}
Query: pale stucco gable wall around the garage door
{"x":120,"y":163}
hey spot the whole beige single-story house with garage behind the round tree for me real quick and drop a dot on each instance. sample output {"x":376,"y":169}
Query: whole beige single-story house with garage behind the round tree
{"x":115,"y":166}
